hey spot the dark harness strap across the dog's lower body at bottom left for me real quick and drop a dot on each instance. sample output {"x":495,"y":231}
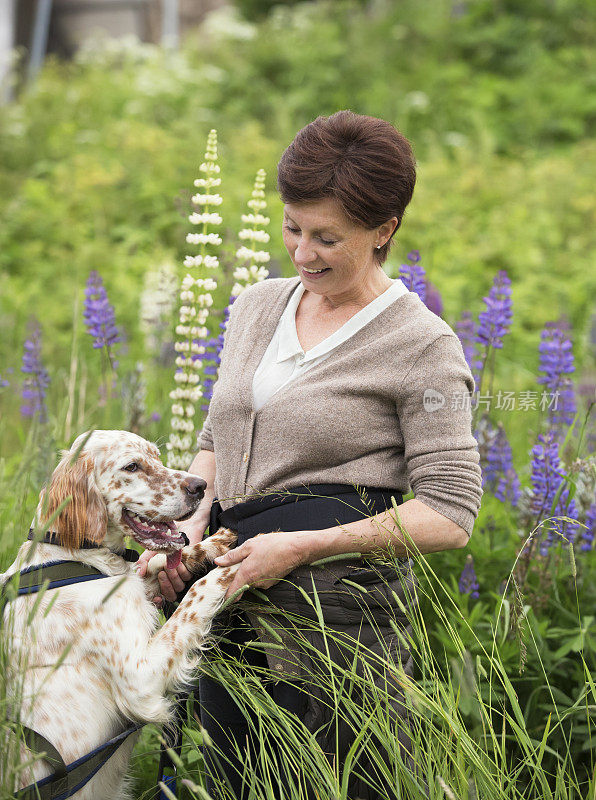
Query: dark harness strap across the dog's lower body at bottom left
{"x":68,"y":780}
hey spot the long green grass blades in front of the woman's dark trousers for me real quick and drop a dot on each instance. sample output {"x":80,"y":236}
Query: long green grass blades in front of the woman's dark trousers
{"x":470,"y":736}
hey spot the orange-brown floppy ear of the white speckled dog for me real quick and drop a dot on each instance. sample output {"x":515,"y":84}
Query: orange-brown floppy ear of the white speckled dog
{"x":85,"y":515}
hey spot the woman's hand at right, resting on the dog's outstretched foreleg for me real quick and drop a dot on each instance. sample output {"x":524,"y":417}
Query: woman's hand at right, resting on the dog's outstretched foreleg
{"x":264,"y":560}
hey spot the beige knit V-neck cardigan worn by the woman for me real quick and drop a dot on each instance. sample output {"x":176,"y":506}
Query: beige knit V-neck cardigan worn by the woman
{"x":389,"y":408}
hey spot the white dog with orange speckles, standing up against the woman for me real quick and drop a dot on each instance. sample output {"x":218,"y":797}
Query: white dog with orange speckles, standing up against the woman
{"x":116,"y":665}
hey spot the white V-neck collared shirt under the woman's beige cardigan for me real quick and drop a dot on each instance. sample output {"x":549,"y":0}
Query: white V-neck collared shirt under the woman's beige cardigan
{"x":284,"y":360}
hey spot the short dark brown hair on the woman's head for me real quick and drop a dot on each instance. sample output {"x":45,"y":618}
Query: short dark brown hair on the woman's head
{"x":363,"y":162}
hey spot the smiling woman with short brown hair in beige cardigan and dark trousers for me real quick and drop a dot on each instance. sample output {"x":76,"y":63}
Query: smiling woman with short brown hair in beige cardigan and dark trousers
{"x":335,"y":379}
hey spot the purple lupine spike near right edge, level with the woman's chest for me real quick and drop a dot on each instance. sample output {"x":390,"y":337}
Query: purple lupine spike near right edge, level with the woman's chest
{"x":556,"y":362}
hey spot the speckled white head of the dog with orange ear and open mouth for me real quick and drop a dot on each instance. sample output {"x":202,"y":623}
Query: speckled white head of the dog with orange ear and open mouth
{"x":118,"y":486}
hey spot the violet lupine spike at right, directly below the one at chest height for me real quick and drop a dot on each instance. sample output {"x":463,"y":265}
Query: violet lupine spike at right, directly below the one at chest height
{"x":547,"y":476}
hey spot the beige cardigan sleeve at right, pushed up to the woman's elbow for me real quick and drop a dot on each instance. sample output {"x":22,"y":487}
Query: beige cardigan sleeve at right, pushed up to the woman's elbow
{"x":434,"y":411}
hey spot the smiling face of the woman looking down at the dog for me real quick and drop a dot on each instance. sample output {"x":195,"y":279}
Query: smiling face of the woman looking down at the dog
{"x":332,"y":255}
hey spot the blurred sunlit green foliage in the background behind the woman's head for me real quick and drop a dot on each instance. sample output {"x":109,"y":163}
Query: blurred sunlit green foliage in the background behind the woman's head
{"x":100,"y":154}
